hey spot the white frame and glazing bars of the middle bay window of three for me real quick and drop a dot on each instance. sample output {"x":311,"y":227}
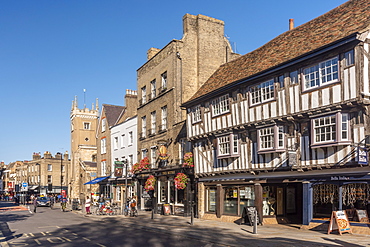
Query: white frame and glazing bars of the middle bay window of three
{"x":278,"y":135}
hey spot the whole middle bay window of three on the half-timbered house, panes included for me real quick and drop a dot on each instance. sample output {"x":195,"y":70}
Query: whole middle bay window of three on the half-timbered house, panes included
{"x":271,"y":139}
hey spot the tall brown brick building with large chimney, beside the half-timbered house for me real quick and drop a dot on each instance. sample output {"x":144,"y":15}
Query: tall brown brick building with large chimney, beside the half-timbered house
{"x":168,"y":78}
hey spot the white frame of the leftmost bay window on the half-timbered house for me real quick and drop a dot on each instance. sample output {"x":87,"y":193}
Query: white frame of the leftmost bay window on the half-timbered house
{"x":230,"y":141}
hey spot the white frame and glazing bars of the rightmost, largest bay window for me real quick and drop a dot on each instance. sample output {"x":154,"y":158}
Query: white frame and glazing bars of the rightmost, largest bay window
{"x":339,"y":125}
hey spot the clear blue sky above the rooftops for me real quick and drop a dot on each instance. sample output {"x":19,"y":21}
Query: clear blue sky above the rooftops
{"x":51,"y":50}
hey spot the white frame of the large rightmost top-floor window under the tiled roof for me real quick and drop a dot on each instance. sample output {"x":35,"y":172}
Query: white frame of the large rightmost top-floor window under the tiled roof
{"x":316,"y":70}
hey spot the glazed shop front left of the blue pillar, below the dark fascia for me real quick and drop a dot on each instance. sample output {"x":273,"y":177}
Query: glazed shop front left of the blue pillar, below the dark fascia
{"x":275,"y":201}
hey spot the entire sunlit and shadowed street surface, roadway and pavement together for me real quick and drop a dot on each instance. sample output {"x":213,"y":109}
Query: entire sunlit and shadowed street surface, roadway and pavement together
{"x":51,"y":227}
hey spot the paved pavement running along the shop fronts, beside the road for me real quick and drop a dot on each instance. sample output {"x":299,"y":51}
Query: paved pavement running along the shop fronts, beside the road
{"x":230,"y":234}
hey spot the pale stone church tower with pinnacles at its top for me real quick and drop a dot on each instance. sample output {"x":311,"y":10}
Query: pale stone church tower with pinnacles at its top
{"x":83,"y":149}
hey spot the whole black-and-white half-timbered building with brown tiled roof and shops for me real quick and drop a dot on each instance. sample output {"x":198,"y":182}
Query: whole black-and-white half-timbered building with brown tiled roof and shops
{"x":285,"y":127}
